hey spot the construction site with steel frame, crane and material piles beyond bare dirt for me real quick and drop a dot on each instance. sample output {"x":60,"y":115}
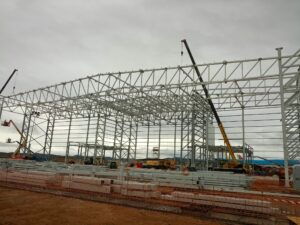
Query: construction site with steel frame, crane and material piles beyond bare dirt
{"x":182,"y":140}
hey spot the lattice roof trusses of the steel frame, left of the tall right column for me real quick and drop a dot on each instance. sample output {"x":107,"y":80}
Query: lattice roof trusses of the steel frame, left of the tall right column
{"x":258,"y":79}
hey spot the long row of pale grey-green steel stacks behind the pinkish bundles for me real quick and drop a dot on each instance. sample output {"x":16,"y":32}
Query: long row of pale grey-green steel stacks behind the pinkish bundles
{"x":212,"y":180}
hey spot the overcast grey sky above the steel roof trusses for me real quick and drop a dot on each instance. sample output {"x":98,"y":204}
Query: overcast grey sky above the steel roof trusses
{"x":59,"y":40}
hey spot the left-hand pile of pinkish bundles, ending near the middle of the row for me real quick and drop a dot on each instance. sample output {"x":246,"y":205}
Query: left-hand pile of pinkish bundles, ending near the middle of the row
{"x":24,"y":173}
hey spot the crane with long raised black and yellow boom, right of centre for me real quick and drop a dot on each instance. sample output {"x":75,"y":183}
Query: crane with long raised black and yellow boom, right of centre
{"x":234,"y":163}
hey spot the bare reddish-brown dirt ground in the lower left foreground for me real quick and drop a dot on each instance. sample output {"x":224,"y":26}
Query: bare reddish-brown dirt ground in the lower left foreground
{"x":24,"y":207}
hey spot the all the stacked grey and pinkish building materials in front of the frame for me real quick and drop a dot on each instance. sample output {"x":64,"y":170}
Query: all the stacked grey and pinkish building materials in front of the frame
{"x":169,"y":190}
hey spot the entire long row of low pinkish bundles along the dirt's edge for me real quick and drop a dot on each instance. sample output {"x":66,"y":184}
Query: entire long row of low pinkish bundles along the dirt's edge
{"x":123,"y":187}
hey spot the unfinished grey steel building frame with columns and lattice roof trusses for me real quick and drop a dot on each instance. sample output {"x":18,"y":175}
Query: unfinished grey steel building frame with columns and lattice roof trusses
{"x":119,"y":109}
